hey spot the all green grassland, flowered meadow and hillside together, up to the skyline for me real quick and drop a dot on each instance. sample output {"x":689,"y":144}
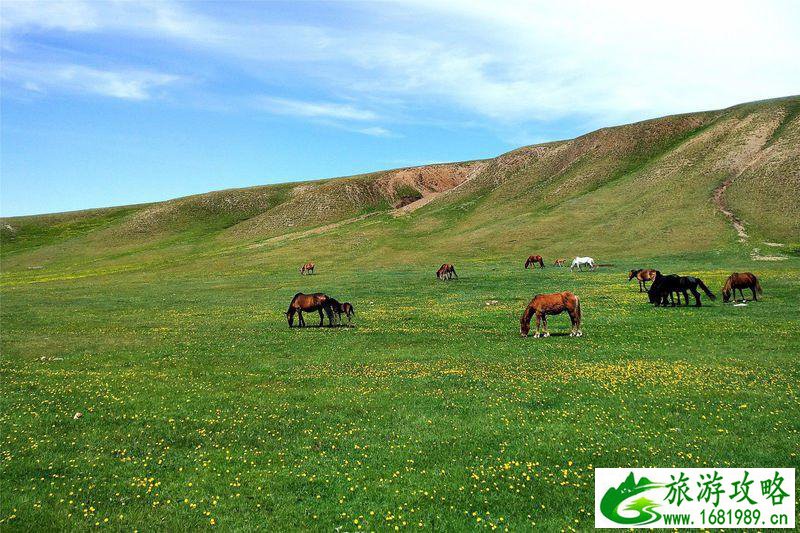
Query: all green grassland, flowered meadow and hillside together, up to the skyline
{"x":163,"y":325}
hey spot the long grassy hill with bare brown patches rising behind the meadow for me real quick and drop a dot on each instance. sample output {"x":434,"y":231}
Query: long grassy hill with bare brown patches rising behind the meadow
{"x":653,"y":187}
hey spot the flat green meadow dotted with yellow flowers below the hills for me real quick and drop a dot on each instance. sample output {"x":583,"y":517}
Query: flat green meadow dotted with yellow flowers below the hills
{"x":202,"y":408}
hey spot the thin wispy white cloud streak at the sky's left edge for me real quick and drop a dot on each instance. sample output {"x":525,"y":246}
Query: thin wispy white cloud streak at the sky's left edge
{"x":70,"y":78}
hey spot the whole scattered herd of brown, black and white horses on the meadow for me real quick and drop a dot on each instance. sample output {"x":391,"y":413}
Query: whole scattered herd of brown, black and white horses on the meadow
{"x":664,"y":290}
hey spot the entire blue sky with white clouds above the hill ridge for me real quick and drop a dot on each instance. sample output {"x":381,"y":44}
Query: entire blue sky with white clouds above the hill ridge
{"x":110,"y":103}
